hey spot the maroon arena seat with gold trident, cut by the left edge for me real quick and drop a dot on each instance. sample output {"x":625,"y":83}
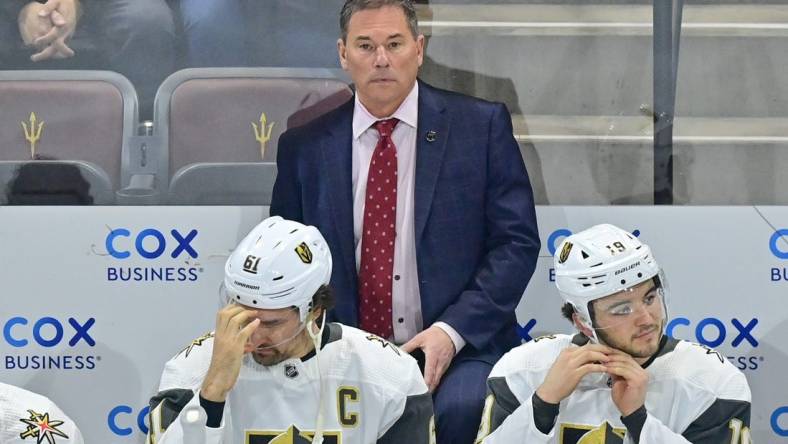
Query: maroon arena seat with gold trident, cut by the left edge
{"x":86,"y":116}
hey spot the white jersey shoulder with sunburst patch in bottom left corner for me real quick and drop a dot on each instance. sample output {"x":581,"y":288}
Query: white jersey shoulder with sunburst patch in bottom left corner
{"x":26,"y":417}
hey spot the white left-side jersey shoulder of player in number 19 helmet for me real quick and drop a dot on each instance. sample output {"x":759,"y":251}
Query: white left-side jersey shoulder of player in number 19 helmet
{"x":534,"y":356}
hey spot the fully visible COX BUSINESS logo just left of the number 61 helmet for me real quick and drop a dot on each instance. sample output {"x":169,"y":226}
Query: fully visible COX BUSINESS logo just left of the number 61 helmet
{"x":152,"y":244}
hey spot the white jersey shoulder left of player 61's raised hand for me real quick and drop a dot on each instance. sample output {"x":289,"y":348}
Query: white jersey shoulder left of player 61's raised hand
{"x":189,"y":366}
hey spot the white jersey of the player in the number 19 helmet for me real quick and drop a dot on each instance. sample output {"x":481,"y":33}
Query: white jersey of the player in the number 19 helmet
{"x":694,"y":396}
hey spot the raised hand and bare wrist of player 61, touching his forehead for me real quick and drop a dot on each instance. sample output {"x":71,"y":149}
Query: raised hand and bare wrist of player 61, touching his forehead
{"x":233,"y":329}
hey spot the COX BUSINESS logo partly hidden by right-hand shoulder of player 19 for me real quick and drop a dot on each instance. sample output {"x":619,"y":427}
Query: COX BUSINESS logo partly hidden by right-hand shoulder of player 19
{"x":713,"y":332}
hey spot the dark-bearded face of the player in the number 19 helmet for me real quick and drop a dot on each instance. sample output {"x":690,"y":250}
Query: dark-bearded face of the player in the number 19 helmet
{"x":631,"y":320}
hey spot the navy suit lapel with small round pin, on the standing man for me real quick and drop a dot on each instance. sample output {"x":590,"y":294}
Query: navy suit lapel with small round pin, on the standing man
{"x":432,"y":135}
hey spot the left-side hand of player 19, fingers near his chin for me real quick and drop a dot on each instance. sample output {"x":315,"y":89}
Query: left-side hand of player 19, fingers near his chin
{"x":569,"y":368}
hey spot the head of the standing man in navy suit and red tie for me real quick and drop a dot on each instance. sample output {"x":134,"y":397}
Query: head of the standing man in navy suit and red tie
{"x":382,"y":57}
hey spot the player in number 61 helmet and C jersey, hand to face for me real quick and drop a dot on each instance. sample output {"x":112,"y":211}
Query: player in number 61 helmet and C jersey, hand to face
{"x":274,"y":372}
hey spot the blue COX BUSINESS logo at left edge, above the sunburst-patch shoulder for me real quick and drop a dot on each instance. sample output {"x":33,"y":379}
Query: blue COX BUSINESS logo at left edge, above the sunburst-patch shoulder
{"x":48,"y":332}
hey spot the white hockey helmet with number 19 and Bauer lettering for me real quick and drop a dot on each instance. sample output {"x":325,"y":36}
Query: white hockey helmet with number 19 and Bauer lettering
{"x":598,"y":262}
